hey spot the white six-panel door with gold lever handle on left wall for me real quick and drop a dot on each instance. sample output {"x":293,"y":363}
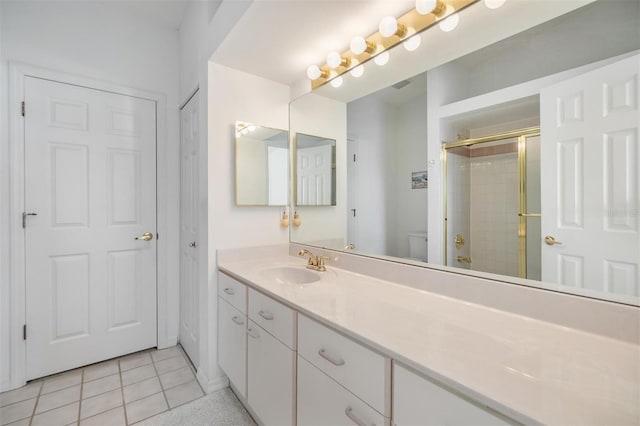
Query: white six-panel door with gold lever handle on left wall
{"x":90,"y":180}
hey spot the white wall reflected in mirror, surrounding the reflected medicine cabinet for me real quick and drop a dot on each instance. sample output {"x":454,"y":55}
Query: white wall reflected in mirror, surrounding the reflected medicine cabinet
{"x":326,"y":118}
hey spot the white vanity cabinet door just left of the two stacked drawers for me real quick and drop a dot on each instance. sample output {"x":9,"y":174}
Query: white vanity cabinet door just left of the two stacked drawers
{"x":270,"y":377}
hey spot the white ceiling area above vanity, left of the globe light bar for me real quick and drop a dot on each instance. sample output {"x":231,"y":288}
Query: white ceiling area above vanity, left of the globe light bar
{"x":279,"y":39}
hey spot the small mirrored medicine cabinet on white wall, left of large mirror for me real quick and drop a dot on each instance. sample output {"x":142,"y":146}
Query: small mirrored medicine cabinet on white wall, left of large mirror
{"x":262,"y":165}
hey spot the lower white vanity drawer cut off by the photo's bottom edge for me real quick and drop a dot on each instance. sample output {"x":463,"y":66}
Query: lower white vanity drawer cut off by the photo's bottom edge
{"x":321,"y":401}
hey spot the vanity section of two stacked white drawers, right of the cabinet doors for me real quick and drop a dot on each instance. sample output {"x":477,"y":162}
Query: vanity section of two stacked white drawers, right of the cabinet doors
{"x":340,"y":381}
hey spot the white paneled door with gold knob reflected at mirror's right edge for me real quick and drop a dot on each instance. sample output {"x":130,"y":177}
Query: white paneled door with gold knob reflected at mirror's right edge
{"x":589,"y":176}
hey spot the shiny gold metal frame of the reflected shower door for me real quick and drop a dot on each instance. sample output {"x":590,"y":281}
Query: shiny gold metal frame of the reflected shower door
{"x":522,"y":135}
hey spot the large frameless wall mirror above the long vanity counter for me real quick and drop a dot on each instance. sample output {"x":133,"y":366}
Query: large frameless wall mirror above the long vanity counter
{"x":518,"y":160}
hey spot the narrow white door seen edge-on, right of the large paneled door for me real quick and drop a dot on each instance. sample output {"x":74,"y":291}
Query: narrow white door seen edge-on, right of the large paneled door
{"x":189,"y":236}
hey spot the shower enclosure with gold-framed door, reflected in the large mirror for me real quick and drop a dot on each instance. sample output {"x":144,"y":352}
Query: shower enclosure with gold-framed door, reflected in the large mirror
{"x":492,"y":203}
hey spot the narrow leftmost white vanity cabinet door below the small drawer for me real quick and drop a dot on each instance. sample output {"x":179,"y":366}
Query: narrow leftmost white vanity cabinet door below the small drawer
{"x":232,"y":344}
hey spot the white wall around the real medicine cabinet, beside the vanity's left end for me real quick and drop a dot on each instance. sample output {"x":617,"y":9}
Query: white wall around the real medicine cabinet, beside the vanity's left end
{"x":234,"y":95}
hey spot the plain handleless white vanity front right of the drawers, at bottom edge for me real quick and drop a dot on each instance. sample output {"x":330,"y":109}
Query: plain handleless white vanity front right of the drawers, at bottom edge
{"x":419,"y":401}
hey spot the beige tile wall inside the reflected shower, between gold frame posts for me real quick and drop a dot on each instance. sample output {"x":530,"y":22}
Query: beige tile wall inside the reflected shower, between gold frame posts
{"x":494,"y":213}
